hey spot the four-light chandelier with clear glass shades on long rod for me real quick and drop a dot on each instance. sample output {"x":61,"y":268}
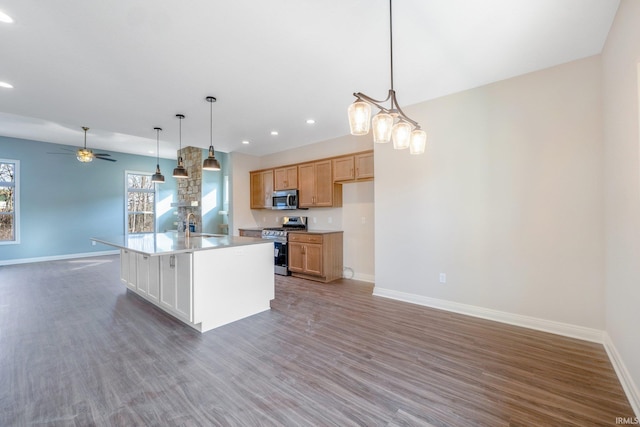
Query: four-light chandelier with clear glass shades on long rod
{"x":390,"y":124}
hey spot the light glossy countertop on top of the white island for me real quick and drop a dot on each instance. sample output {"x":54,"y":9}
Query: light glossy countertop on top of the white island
{"x":173,"y":242}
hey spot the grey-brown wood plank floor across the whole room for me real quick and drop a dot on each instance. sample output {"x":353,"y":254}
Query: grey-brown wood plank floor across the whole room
{"x":76,"y":349}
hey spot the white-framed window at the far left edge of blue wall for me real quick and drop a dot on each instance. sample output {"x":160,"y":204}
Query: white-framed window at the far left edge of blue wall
{"x":9,"y":201}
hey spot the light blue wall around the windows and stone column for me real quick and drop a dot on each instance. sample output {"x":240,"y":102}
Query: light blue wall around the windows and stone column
{"x":63,"y":203}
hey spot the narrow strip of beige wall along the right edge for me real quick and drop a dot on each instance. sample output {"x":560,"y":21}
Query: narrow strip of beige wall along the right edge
{"x":621,"y":76}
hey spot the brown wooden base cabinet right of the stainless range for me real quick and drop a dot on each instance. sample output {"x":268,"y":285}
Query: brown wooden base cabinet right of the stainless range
{"x":316,"y":255}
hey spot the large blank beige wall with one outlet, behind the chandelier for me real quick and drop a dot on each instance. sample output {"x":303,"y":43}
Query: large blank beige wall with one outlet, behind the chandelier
{"x":507,"y":201}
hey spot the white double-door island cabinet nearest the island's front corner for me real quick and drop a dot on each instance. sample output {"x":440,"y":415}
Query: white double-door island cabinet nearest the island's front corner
{"x":176,"y":285}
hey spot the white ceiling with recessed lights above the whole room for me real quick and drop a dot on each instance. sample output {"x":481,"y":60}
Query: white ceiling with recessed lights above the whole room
{"x":123,"y":67}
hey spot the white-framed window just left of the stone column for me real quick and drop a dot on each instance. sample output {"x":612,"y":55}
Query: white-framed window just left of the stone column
{"x":141,"y":197}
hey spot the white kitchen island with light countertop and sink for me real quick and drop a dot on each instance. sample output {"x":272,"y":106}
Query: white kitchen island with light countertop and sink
{"x":204,"y":280}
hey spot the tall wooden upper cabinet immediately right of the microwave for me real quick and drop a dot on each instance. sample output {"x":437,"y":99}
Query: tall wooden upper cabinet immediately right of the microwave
{"x":316,"y":186}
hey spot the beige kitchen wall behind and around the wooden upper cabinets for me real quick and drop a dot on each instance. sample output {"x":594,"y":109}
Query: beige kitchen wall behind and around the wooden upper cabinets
{"x":355,"y":217}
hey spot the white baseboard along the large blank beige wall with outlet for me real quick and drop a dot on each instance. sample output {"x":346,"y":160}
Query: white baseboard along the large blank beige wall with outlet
{"x":558,"y":328}
